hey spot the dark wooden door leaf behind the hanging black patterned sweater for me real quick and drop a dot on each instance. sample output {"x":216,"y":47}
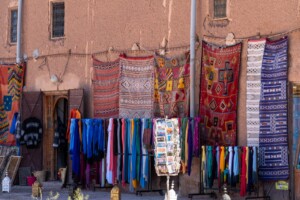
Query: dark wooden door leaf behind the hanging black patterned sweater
{"x":32,"y":106}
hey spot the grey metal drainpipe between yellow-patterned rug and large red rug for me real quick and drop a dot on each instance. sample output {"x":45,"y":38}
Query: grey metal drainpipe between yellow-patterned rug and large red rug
{"x":192,"y":57}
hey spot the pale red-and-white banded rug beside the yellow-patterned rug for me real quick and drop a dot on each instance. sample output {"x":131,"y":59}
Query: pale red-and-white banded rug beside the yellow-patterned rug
{"x":136,"y":87}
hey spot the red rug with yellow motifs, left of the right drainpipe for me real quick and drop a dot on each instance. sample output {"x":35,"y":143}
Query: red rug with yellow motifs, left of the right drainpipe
{"x":172,"y":86}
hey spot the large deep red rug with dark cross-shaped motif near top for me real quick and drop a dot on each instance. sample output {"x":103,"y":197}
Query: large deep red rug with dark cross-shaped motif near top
{"x":219,"y":92}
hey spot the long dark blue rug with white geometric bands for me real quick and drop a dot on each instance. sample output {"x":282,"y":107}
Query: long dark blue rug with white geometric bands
{"x":273,"y":138}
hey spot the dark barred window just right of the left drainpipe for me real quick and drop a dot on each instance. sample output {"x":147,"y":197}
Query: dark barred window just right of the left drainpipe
{"x":58,"y":19}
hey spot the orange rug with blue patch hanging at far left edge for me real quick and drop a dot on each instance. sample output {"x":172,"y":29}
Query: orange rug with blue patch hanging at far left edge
{"x":11,"y":84}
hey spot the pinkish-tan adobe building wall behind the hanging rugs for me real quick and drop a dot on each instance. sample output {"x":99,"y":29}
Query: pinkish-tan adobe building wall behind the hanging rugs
{"x":63,"y":46}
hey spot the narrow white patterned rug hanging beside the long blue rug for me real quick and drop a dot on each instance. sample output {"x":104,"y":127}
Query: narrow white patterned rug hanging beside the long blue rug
{"x":254,"y":63}
